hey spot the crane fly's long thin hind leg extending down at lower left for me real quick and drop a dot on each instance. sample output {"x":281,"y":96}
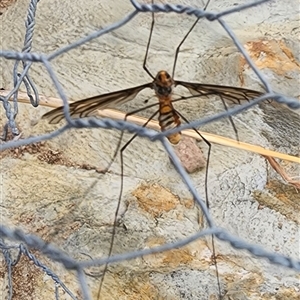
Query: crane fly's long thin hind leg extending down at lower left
{"x":121,"y":192}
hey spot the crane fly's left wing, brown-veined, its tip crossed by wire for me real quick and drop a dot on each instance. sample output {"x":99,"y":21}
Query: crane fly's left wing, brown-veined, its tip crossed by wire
{"x":86,"y":107}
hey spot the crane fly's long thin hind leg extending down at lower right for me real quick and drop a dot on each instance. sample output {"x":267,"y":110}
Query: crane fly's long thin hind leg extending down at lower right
{"x":206,"y":197}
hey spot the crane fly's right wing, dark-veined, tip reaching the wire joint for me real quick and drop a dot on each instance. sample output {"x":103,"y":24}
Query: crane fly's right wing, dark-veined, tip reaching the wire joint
{"x":234,"y":95}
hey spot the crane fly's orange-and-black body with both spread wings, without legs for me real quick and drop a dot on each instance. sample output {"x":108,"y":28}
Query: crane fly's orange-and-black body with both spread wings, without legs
{"x":163,"y":86}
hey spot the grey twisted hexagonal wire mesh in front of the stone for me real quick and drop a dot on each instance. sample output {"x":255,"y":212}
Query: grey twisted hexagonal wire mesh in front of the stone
{"x":15,"y":244}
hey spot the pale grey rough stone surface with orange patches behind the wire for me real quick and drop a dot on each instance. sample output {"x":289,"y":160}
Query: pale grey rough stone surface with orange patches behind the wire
{"x":74,"y":208}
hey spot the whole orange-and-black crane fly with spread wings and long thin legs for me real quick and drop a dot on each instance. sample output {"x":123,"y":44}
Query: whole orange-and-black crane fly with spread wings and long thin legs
{"x":163,"y":85}
